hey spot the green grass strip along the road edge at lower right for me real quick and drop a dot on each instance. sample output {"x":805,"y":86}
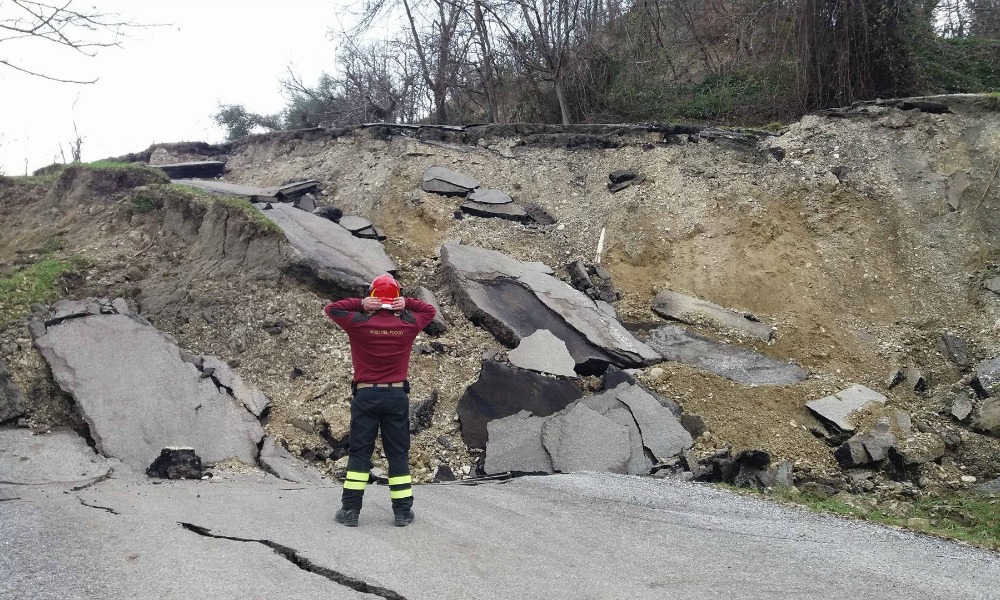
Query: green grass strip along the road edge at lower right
{"x":971,"y":519}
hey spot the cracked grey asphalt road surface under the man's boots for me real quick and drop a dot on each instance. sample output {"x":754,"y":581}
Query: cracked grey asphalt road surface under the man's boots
{"x":567,"y":536}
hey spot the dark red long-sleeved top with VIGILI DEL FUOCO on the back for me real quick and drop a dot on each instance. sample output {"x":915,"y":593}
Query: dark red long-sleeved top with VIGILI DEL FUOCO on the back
{"x":380,"y":341}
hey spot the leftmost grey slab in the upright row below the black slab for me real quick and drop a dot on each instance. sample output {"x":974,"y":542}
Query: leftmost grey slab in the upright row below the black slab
{"x":515,"y":445}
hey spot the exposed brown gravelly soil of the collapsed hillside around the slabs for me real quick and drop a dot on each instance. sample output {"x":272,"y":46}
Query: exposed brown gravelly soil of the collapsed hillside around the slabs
{"x":848,"y":245}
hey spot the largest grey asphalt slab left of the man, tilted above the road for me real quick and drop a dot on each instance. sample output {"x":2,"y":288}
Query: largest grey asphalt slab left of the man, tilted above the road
{"x":154,"y":396}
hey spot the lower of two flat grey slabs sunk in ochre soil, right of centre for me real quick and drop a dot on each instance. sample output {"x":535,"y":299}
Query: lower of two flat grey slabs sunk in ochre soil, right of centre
{"x":732,"y":362}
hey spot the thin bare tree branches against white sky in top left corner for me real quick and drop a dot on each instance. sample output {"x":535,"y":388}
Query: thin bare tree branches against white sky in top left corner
{"x":84,"y":31}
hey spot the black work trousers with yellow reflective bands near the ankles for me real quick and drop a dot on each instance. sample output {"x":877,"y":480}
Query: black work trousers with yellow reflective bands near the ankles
{"x":373,"y":409}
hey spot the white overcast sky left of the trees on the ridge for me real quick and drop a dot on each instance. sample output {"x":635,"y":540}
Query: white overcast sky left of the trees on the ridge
{"x":165,"y":82}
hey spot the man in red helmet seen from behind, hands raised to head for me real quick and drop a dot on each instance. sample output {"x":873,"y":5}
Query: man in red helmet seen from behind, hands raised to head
{"x":381,"y":329}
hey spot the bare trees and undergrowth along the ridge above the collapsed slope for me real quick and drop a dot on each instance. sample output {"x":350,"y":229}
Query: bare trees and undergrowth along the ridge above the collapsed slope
{"x":589,"y":61}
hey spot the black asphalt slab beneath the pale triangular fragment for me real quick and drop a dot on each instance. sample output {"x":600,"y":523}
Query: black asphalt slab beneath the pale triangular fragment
{"x":502,"y":391}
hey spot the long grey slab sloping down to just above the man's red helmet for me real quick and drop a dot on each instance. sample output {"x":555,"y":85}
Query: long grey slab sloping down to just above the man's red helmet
{"x":327,"y":253}
